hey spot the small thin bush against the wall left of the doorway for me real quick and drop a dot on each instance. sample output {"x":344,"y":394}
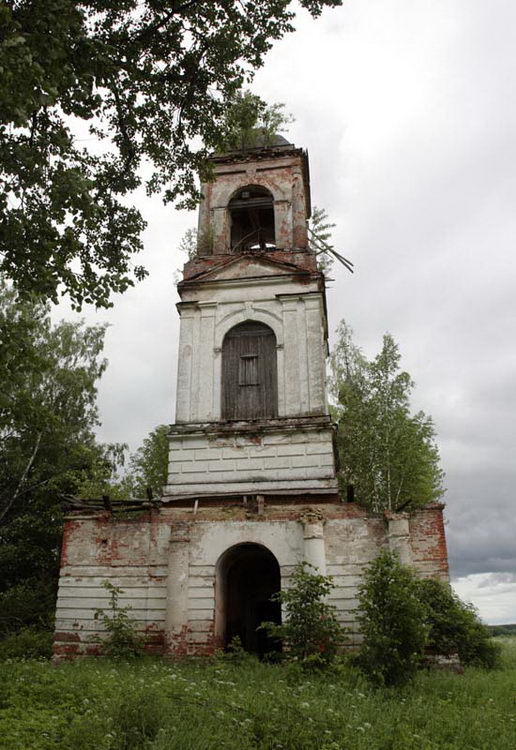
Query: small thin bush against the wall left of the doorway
{"x":123,"y":639}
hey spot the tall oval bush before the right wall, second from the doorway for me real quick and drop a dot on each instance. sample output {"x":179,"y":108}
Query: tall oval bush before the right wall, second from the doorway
{"x":392,"y":620}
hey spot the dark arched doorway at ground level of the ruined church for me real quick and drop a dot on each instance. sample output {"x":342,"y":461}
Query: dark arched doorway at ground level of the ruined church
{"x":247,"y":577}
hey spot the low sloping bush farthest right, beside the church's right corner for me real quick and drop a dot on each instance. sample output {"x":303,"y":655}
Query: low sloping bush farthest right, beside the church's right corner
{"x":454,"y":627}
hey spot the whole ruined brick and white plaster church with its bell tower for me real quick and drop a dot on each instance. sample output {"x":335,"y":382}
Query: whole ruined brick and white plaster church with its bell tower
{"x":252,"y":478}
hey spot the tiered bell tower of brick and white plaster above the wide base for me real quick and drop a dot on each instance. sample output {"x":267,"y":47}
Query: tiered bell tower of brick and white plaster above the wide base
{"x":251,"y":414}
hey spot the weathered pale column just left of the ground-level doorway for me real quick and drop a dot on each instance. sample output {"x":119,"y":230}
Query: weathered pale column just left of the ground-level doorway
{"x":177,"y":583}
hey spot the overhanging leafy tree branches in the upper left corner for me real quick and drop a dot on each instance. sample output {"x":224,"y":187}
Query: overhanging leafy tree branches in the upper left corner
{"x":90,"y":91}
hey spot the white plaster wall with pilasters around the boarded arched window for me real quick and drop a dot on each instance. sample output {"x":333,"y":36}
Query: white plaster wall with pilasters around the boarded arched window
{"x":297,"y":321}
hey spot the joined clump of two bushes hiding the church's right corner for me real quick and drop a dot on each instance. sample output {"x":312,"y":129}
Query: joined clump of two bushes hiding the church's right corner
{"x":403,"y":618}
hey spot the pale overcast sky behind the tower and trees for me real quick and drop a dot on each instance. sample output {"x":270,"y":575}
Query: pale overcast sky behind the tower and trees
{"x":408,"y":111}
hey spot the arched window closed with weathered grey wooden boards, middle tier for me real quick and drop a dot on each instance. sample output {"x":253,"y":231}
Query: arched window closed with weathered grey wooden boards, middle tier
{"x":249,"y":373}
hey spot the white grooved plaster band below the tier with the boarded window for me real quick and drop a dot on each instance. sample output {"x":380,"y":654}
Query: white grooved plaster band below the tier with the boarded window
{"x":204,"y":464}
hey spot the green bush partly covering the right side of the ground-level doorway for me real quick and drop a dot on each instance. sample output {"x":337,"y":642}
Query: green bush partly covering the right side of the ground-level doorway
{"x":311,"y":633}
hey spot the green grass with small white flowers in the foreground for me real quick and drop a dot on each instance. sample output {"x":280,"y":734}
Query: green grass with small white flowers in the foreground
{"x":198,"y":705}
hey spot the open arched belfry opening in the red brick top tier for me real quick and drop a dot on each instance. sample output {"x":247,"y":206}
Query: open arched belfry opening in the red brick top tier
{"x":252,"y":220}
